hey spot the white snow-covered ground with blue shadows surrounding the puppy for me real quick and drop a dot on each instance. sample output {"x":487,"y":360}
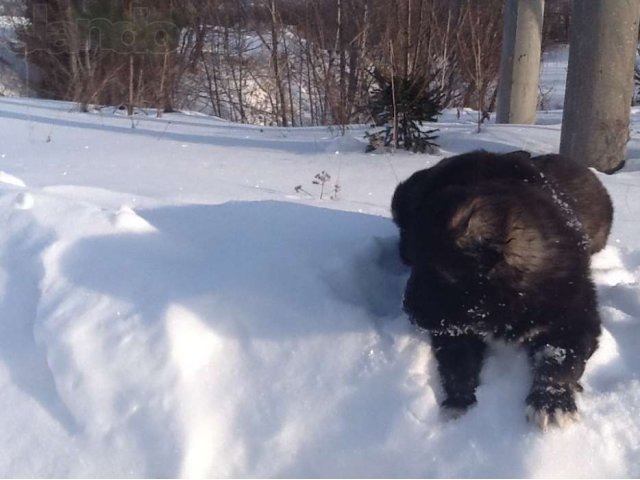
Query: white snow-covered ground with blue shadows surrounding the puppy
{"x":171,"y":305}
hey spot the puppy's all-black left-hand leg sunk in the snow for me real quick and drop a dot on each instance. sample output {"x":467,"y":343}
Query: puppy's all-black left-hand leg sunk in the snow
{"x":460,"y":360}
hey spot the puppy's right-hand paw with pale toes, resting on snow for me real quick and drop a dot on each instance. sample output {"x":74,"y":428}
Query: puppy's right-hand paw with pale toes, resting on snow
{"x":551,"y":405}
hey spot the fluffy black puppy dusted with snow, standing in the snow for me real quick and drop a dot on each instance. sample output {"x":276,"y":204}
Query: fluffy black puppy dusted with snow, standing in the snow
{"x":499,"y":249}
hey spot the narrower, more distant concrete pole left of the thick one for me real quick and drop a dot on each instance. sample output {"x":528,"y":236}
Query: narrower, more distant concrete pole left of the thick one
{"x":520,"y":61}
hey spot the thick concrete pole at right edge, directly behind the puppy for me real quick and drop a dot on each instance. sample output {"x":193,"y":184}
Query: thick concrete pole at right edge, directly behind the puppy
{"x":595,"y":123}
